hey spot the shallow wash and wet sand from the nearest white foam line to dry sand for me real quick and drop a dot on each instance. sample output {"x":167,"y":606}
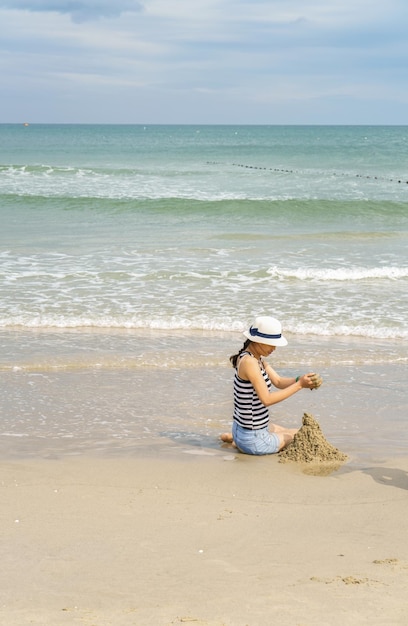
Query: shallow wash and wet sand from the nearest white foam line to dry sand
{"x":146,"y":393}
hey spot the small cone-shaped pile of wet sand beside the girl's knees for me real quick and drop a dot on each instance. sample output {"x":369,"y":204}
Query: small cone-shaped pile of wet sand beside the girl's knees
{"x":310,"y":446}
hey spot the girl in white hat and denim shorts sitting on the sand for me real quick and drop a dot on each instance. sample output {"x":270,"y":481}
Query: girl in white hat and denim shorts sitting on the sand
{"x":254,"y":377}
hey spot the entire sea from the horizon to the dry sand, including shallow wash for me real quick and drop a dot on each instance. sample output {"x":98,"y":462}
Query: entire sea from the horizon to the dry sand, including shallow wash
{"x":132,"y":257}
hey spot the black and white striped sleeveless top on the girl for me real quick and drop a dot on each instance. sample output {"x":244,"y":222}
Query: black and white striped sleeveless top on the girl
{"x":249,"y":412}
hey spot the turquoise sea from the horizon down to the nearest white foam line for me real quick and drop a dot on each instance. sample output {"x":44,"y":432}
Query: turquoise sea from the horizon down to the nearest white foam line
{"x":133,"y":226}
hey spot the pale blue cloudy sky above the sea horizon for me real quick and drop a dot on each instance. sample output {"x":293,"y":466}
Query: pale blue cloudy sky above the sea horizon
{"x":204,"y":61}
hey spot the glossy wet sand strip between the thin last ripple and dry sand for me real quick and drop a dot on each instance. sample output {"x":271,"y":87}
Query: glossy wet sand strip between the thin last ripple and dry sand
{"x":105,"y":412}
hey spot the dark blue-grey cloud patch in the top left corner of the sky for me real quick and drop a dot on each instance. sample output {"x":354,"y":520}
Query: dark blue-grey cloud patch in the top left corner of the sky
{"x":79,"y":10}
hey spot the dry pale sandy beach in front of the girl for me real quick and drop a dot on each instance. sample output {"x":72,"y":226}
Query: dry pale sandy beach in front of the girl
{"x":224,"y":540}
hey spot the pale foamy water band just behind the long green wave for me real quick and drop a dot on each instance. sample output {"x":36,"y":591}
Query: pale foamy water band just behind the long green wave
{"x":198,"y":181}
